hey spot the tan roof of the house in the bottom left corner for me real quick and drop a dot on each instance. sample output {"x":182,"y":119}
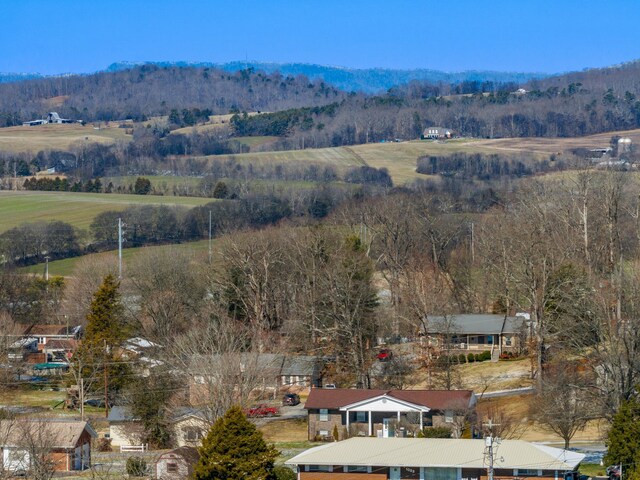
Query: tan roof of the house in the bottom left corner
{"x":52,"y":433}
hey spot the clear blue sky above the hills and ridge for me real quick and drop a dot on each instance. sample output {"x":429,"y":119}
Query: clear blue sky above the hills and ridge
{"x":58,"y":36}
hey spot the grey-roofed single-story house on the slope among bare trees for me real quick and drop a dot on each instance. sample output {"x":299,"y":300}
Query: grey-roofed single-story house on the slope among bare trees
{"x":478,"y":331}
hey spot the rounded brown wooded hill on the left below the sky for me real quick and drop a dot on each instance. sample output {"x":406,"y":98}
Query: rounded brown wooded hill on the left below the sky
{"x":150,"y":91}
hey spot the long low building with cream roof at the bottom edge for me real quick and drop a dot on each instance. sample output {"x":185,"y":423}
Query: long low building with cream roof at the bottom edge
{"x":432,"y":458}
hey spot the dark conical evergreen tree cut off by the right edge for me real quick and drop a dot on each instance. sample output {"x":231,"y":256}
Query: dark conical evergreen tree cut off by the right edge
{"x":623,"y":442}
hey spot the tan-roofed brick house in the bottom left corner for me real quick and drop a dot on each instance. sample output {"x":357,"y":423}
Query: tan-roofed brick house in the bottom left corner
{"x":64,"y":445}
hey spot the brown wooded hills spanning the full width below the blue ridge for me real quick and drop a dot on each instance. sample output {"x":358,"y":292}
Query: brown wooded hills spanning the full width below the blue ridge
{"x":315,"y":114}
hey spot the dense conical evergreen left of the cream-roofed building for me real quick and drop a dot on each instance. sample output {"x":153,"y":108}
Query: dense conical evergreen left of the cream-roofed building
{"x":234,"y":449}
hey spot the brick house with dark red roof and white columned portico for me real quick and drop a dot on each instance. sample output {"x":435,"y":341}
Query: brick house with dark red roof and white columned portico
{"x":385,"y":413}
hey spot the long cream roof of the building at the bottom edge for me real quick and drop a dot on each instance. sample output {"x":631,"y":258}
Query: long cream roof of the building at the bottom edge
{"x":437,"y":452}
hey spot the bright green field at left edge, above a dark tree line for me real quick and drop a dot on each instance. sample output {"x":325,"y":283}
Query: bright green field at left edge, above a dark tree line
{"x":78,"y":209}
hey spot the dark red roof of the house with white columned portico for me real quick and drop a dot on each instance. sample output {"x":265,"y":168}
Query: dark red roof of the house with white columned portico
{"x":434,"y":399}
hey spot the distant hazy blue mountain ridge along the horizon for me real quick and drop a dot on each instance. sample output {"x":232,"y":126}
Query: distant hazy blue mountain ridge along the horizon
{"x":369,"y":80}
